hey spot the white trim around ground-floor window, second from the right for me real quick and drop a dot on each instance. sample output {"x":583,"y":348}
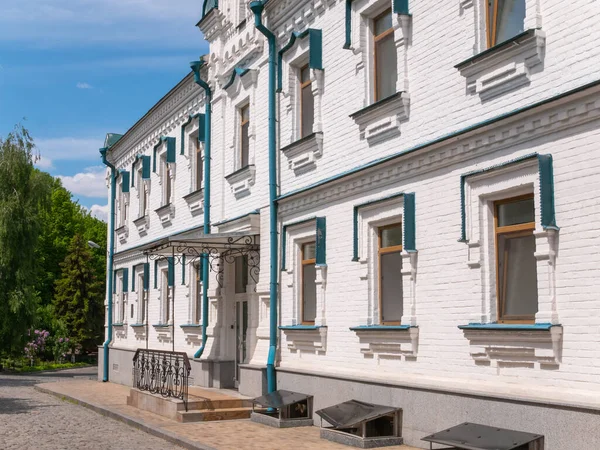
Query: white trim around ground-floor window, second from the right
{"x":370,"y":219}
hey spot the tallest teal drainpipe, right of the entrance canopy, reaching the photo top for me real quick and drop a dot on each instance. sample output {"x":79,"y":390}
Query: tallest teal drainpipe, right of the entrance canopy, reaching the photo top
{"x":257,"y":8}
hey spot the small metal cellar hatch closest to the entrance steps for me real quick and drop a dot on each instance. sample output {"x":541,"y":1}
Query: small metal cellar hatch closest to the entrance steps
{"x":283,"y":409}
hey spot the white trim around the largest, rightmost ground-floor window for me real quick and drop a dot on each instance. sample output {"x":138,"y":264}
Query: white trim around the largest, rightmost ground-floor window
{"x":481,"y":191}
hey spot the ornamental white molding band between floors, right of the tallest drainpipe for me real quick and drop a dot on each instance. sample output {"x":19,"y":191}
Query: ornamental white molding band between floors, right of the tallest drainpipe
{"x":581,"y":108}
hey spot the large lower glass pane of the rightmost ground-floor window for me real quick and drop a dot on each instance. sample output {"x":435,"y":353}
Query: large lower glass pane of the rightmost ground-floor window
{"x":518,"y":275}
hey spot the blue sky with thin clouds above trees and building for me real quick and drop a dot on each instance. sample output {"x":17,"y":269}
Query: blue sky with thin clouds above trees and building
{"x":77,"y":69}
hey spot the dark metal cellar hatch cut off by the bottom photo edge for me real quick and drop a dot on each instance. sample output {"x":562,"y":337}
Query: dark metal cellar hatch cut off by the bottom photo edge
{"x":472,"y":436}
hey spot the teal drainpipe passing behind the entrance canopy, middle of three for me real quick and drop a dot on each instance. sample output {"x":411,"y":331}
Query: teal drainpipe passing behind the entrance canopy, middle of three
{"x":196,"y":66}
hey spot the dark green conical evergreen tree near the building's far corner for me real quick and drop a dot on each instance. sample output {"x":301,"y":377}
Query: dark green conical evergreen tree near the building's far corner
{"x":78,"y":294}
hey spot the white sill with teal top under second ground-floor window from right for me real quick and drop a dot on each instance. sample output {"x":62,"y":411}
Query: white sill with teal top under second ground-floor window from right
{"x":388,"y":341}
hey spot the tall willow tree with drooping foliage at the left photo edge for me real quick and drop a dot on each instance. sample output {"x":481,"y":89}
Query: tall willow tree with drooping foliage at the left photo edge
{"x":23,"y":194}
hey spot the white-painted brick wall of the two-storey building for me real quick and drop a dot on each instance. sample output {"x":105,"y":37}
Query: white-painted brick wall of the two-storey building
{"x":448,"y":292}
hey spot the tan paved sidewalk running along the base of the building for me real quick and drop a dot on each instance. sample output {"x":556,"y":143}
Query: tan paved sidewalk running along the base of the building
{"x":110,"y":399}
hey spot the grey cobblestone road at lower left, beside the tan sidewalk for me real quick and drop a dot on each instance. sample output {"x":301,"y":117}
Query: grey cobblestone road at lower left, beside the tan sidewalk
{"x":33,"y":420}
